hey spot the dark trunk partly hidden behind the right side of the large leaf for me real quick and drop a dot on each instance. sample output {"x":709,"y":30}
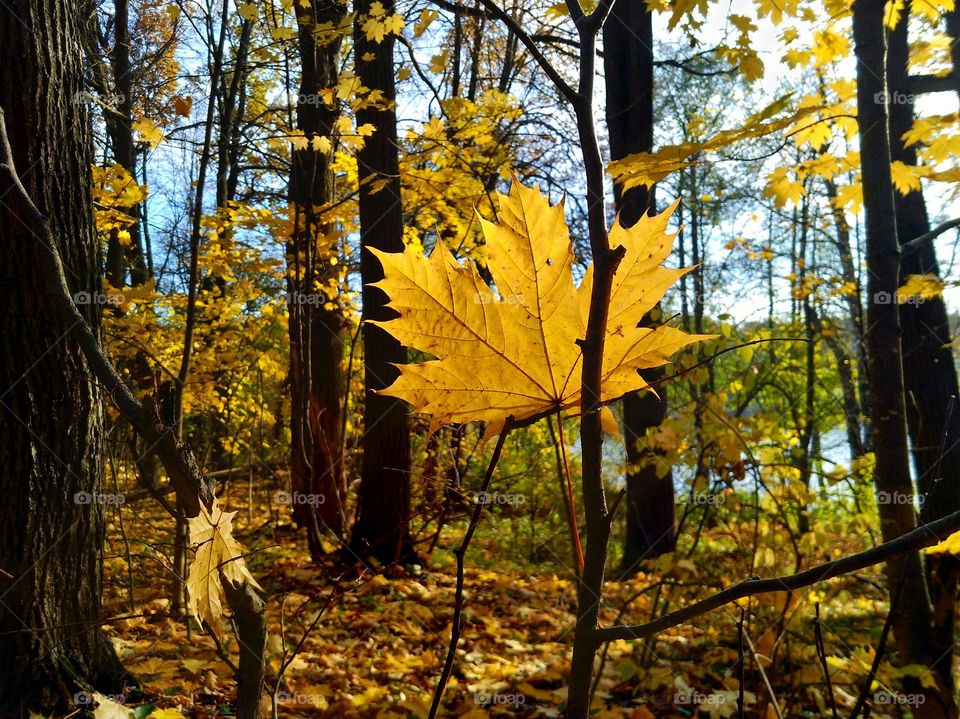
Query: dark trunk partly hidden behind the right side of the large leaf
{"x":628,"y":65}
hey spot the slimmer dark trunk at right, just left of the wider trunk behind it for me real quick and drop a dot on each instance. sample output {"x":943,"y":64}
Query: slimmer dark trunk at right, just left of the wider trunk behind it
{"x":913,"y":616}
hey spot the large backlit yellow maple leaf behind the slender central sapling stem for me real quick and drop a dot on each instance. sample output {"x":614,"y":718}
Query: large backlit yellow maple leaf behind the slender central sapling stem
{"x":514,"y":353}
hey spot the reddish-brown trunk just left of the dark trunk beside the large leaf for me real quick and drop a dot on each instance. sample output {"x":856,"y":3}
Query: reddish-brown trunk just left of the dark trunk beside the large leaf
{"x":316,"y":322}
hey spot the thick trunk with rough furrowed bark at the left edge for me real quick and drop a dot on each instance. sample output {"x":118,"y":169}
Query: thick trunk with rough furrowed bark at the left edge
{"x":52,"y":516}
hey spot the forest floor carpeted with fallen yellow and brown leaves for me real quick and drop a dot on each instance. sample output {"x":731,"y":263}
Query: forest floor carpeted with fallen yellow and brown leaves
{"x":349,"y":643}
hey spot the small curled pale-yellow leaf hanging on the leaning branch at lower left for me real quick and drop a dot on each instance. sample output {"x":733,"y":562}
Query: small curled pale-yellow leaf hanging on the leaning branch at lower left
{"x":217,"y":553}
